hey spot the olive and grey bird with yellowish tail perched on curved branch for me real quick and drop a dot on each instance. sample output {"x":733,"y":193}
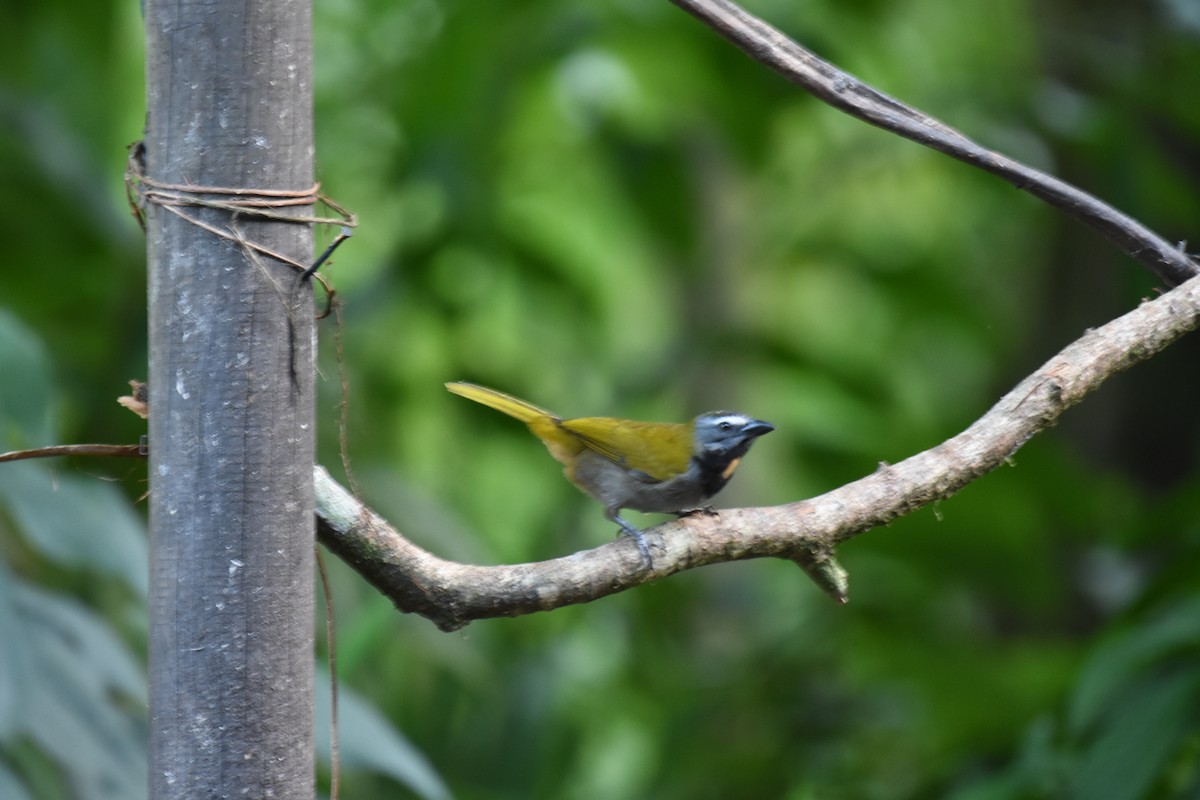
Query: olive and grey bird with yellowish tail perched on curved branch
{"x":655,"y":467}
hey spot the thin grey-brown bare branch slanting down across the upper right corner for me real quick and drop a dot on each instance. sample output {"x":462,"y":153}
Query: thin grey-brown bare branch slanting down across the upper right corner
{"x":847,"y":93}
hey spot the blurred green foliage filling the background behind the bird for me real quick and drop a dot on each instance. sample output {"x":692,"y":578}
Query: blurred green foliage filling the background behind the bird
{"x":604,"y":208}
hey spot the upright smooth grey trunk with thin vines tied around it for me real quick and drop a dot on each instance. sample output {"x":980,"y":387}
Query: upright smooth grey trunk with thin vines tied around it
{"x":230,"y":105}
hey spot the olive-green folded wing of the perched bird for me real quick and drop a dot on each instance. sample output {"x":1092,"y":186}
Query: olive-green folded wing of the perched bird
{"x":661,"y":450}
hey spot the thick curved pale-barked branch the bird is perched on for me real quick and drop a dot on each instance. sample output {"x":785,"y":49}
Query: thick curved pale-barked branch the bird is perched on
{"x":452,"y":594}
